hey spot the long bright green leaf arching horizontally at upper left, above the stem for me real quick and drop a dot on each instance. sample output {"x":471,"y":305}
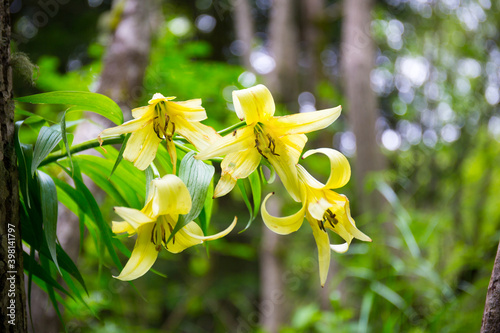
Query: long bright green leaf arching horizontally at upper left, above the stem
{"x":82,"y":100}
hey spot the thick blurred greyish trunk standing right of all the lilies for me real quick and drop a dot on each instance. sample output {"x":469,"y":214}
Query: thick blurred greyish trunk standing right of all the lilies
{"x":358,"y":57}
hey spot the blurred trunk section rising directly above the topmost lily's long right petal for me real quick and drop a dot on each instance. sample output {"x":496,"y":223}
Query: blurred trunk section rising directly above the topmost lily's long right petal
{"x":283,"y":44}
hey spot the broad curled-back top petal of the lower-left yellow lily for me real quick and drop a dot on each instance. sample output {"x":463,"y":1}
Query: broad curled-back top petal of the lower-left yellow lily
{"x":168,"y":196}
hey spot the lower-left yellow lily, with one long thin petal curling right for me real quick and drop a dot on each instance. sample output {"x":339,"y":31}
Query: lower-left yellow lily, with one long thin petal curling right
{"x":168,"y":198}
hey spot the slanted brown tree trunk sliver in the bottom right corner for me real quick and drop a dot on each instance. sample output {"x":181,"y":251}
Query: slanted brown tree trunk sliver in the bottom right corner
{"x":491,"y":316}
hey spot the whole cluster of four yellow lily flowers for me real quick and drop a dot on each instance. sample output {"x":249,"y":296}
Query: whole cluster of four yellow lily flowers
{"x":278,"y":140}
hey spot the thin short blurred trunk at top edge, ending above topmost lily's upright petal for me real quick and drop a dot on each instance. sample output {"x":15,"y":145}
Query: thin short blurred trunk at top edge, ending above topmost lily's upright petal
{"x":243,"y":25}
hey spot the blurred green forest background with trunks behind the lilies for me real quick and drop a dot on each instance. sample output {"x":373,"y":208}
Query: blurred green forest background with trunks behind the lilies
{"x":419,"y":84}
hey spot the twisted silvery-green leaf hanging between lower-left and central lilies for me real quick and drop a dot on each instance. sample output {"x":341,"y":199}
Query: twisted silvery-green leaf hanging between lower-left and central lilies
{"x":197,"y":176}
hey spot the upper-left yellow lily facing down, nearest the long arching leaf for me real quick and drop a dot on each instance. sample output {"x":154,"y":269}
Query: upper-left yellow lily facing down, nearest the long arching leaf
{"x":158,"y":121}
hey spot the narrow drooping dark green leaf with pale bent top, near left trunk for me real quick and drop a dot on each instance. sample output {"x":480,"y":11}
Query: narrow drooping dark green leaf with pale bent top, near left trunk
{"x":48,"y":195}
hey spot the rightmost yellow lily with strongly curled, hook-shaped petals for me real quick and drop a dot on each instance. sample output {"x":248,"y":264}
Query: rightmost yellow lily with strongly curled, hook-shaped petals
{"x":324,"y":209}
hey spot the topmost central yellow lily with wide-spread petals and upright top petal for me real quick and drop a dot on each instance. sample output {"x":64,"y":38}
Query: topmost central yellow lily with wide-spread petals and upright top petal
{"x":278,"y":139}
